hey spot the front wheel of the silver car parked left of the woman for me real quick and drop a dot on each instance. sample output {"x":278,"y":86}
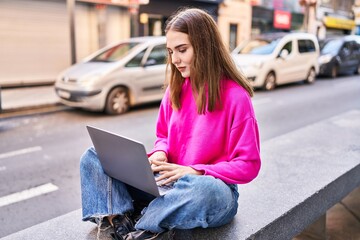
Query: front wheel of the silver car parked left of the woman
{"x":117,"y":101}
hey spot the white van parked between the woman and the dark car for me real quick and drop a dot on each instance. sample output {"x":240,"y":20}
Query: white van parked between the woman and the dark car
{"x":278,"y":58}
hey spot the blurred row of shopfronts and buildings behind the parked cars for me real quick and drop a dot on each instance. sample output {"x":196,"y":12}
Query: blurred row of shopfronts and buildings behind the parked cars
{"x":41,"y":38}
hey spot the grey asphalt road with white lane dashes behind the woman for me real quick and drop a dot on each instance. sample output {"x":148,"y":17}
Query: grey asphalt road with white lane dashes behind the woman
{"x":39,"y":154}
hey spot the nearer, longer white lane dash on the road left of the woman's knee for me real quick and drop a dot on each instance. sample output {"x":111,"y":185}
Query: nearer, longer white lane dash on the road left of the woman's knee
{"x":27,"y":194}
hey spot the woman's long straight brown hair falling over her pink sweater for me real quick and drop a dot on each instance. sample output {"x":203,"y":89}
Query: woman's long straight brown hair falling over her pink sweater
{"x":211,"y":61}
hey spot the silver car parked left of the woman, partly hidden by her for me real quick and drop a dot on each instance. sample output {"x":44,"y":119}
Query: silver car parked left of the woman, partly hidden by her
{"x":116,"y":77}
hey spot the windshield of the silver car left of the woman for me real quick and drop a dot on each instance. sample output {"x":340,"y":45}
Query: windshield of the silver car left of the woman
{"x":115,"y":53}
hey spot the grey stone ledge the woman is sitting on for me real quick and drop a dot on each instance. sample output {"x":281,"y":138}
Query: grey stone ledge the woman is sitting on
{"x":304,"y":173}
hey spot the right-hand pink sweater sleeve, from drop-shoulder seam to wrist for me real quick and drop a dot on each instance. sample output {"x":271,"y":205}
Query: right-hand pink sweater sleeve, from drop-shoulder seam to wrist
{"x":244,"y":162}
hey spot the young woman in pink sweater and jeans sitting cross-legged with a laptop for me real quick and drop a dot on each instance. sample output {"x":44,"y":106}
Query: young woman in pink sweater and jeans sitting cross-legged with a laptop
{"x":207,"y":142}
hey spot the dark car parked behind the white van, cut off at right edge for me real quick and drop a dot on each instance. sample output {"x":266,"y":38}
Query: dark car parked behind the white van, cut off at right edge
{"x":340,"y":56}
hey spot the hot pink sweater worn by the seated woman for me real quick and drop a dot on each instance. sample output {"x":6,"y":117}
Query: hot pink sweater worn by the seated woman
{"x":223,"y":143}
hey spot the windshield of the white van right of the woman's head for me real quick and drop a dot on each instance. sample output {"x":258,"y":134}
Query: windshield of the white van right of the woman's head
{"x":259,"y":47}
